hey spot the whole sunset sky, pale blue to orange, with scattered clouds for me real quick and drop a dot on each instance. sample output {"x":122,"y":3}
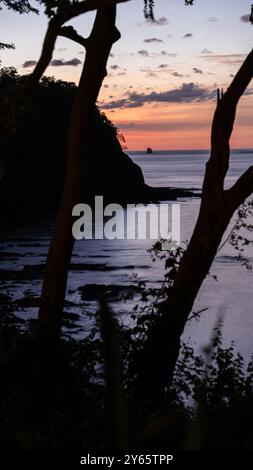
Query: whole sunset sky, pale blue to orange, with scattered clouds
{"x":162,"y":77}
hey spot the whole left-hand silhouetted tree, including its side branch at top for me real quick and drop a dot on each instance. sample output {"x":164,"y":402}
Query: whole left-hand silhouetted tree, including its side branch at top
{"x":98,"y":47}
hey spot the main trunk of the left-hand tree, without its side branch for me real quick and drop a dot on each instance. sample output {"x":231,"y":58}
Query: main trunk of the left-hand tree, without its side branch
{"x":98,"y":47}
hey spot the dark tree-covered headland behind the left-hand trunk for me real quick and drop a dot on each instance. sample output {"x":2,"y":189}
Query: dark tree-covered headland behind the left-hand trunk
{"x":33,"y":146}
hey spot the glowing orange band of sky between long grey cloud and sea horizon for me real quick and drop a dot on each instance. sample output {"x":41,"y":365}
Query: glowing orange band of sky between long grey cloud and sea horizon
{"x":180,"y":126}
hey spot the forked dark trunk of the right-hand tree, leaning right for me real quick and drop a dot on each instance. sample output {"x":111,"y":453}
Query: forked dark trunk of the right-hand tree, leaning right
{"x":156,"y":367}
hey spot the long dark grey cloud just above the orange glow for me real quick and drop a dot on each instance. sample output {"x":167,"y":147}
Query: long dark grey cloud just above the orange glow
{"x":186,"y":93}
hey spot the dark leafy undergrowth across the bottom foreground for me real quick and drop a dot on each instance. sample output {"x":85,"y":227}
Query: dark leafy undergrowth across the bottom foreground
{"x":210,"y":403}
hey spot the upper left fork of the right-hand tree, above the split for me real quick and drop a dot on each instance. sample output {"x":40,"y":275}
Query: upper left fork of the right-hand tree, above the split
{"x":222,"y":127}
